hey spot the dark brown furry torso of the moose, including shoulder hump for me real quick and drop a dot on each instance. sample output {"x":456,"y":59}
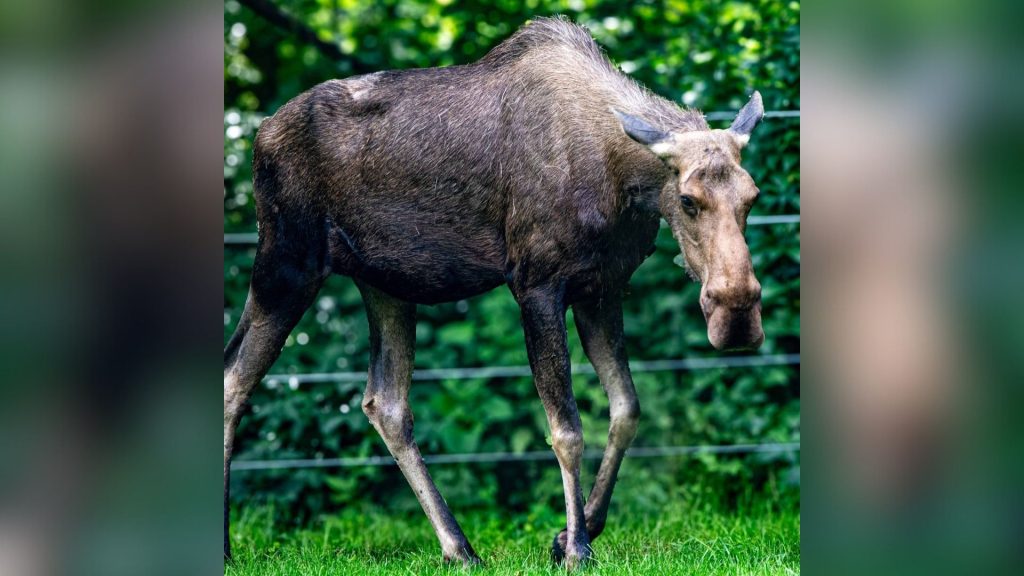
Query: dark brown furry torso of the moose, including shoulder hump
{"x":442,"y":184}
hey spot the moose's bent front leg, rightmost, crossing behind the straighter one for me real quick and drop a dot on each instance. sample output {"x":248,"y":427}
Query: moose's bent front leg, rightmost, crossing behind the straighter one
{"x":601,"y":327}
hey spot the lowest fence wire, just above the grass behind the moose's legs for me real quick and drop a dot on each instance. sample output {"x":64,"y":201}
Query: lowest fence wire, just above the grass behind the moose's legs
{"x":499,"y":458}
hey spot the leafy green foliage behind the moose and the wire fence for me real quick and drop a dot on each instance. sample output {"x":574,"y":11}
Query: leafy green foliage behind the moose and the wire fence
{"x":703,"y":54}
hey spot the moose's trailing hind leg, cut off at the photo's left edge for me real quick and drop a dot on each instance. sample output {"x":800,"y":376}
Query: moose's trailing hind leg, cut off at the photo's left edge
{"x":281,"y":292}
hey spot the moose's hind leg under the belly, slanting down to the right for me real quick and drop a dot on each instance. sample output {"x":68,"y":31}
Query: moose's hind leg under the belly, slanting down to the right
{"x":393,"y":340}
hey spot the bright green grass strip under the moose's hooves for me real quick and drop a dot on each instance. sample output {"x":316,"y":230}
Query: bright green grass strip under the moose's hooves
{"x":680,"y":541}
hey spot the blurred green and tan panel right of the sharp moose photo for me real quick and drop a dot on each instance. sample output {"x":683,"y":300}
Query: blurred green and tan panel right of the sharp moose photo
{"x":915,"y":254}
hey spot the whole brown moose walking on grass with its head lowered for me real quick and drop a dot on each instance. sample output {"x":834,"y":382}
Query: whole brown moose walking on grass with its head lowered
{"x":540,"y":167}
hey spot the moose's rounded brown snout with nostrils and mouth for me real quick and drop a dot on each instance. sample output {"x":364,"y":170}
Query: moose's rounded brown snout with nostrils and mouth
{"x":733,"y":311}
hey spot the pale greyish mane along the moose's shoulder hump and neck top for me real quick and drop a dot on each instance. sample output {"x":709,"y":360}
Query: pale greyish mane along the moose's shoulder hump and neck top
{"x":566,"y":57}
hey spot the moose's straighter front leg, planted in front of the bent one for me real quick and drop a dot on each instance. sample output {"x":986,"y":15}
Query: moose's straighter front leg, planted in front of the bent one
{"x":544,"y":325}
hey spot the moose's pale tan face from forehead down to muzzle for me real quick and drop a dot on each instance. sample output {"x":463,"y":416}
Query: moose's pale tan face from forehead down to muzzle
{"x":706,"y":203}
